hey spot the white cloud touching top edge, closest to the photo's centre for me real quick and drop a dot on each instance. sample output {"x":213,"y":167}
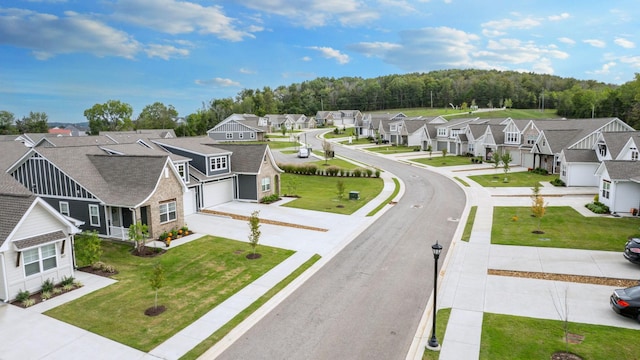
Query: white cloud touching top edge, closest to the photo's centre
{"x":317,"y":13}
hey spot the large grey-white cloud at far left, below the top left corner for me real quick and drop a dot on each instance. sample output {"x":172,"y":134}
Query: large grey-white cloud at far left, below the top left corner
{"x":49,"y":35}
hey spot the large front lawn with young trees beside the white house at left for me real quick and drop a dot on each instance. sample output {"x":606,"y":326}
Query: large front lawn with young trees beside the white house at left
{"x":199,"y":276}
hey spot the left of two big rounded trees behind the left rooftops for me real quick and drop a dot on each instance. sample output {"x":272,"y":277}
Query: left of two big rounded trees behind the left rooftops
{"x":113,"y":115}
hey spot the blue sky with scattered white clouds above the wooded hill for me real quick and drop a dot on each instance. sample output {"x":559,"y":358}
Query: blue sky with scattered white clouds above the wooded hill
{"x":63,"y":56}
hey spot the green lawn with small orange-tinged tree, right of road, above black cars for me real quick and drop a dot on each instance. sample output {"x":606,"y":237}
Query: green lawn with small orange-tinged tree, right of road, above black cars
{"x":563,"y":228}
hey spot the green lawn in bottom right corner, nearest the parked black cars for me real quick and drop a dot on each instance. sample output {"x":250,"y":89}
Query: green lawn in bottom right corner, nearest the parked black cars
{"x":506,"y":337}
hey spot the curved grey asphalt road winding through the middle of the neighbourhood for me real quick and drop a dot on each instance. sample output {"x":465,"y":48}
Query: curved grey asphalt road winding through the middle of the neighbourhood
{"x":365,"y":303}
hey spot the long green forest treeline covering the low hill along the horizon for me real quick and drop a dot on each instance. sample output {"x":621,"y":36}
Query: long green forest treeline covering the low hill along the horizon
{"x":570,"y":97}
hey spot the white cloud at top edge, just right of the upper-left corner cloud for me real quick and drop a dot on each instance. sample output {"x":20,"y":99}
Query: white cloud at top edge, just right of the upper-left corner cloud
{"x":181,"y":17}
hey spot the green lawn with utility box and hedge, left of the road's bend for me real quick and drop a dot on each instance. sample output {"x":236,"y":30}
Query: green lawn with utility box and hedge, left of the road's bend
{"x":320,"y":192}
